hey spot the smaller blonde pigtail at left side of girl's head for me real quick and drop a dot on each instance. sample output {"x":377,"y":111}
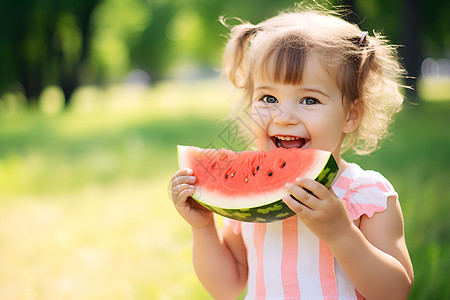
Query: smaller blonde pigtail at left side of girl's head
{"x":236,"y":50}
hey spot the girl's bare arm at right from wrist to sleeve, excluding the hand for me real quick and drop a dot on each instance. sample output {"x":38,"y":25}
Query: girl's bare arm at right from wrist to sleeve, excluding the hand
{"x":377,"y":250}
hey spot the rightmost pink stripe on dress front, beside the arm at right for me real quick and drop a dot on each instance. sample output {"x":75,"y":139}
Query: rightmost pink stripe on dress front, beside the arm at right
{"x":326,"y":272}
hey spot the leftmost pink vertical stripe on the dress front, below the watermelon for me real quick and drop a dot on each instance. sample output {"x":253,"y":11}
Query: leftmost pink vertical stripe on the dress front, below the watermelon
{"x":258,"y":239}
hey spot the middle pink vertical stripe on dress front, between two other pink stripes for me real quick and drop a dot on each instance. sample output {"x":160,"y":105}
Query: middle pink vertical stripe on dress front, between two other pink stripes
{"x":289,"y":258}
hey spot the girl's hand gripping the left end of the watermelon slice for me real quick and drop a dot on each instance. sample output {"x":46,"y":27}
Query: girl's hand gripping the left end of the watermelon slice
{"x":182,"y":190}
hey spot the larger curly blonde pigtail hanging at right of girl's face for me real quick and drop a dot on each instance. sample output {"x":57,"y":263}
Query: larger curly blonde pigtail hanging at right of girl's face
{"x":378,"y":80}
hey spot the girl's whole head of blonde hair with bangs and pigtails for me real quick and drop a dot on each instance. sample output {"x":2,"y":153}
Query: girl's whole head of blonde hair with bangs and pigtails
{"x":366,"y":67}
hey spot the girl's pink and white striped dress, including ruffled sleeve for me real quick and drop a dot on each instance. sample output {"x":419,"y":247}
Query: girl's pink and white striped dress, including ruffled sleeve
{"x":287,"y":261}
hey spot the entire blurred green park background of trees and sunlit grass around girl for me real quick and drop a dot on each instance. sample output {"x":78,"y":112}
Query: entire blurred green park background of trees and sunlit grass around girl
{"x":95,"y":96}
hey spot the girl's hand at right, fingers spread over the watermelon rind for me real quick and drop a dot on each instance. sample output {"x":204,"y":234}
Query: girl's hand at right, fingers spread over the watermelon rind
{"x":321,"y":210}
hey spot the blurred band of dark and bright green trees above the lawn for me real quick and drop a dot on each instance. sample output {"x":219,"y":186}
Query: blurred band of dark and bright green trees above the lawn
{"x":70,"y":43}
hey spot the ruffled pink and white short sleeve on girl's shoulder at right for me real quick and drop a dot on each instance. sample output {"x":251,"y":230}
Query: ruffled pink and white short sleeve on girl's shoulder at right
{"x":364,"y":192}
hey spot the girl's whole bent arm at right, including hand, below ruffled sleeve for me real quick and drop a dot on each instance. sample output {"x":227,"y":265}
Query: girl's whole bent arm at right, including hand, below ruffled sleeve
{"x":374,"y":257}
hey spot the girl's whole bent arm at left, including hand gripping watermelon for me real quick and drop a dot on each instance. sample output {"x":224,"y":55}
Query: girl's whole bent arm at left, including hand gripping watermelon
{"x":219,"y":257}
